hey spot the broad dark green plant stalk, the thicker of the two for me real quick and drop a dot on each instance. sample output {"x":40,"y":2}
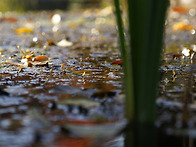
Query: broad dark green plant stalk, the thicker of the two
{"x":146,"y":23}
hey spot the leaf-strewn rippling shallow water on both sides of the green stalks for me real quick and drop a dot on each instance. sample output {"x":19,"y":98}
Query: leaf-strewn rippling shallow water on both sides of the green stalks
{"x":78,"y":95}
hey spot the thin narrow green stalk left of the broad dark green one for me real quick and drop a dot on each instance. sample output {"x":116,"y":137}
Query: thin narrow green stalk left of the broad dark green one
{"x":128,"y":81}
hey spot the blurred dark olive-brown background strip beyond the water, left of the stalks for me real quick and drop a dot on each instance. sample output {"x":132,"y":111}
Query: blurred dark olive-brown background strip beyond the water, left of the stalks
{"x":24,"y":5}
